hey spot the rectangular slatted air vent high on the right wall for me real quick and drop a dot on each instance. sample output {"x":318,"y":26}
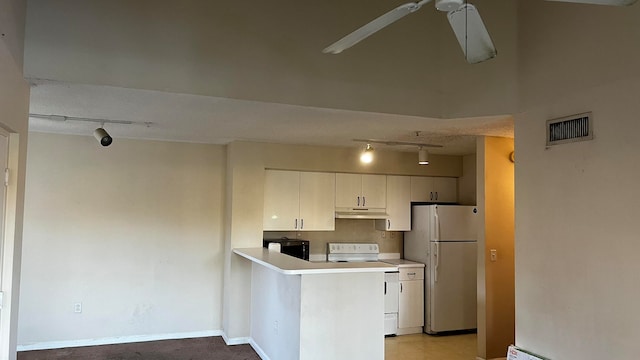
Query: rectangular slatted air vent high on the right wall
{"x":570,"y":129}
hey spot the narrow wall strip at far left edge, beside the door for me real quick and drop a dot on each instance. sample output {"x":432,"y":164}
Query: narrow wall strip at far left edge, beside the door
{"x":14,"y":105}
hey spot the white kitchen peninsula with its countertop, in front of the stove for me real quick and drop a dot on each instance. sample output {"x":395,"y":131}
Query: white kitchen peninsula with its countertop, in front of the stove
{"x":305,"y":310}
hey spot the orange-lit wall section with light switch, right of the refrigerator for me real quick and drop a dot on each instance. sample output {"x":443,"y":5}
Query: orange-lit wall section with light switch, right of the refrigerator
{"x":496,"y":319}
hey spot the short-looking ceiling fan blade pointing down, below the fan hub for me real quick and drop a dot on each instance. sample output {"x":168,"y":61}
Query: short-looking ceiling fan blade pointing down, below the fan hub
{"x":471,"y":34}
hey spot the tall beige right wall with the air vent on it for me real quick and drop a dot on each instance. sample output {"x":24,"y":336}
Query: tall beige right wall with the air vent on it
{"x":576,"y":229}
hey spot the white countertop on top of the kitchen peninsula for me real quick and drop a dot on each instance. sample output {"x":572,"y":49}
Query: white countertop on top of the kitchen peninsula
{"x":290,"y":265}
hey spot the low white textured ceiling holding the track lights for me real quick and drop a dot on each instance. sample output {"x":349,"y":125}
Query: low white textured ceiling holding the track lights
{"x":206,"y":119}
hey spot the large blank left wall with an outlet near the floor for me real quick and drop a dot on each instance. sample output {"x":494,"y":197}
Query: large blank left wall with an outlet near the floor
{"x":133,"y":231}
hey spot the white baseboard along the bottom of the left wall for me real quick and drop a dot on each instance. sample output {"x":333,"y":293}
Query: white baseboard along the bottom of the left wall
{"x":117,"y":340}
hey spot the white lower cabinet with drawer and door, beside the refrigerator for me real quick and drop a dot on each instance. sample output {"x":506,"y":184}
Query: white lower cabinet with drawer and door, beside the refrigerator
{"x":411,"y":300}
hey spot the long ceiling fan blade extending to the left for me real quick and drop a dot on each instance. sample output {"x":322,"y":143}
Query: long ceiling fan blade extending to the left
{"x":375,"y":25}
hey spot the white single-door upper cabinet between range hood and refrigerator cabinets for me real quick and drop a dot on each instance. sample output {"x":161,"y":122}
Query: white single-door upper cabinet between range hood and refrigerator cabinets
{"x":398,"y":205}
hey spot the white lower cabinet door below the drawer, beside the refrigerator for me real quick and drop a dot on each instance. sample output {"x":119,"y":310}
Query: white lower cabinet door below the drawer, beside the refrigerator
{"x":410,"y":306}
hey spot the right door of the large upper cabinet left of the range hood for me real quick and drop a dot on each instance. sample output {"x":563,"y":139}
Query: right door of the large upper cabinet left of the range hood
{"x":317,"y":201}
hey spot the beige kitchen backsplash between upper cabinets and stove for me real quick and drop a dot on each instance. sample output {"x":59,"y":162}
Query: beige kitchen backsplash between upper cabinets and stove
{"x":346,"y":231}
